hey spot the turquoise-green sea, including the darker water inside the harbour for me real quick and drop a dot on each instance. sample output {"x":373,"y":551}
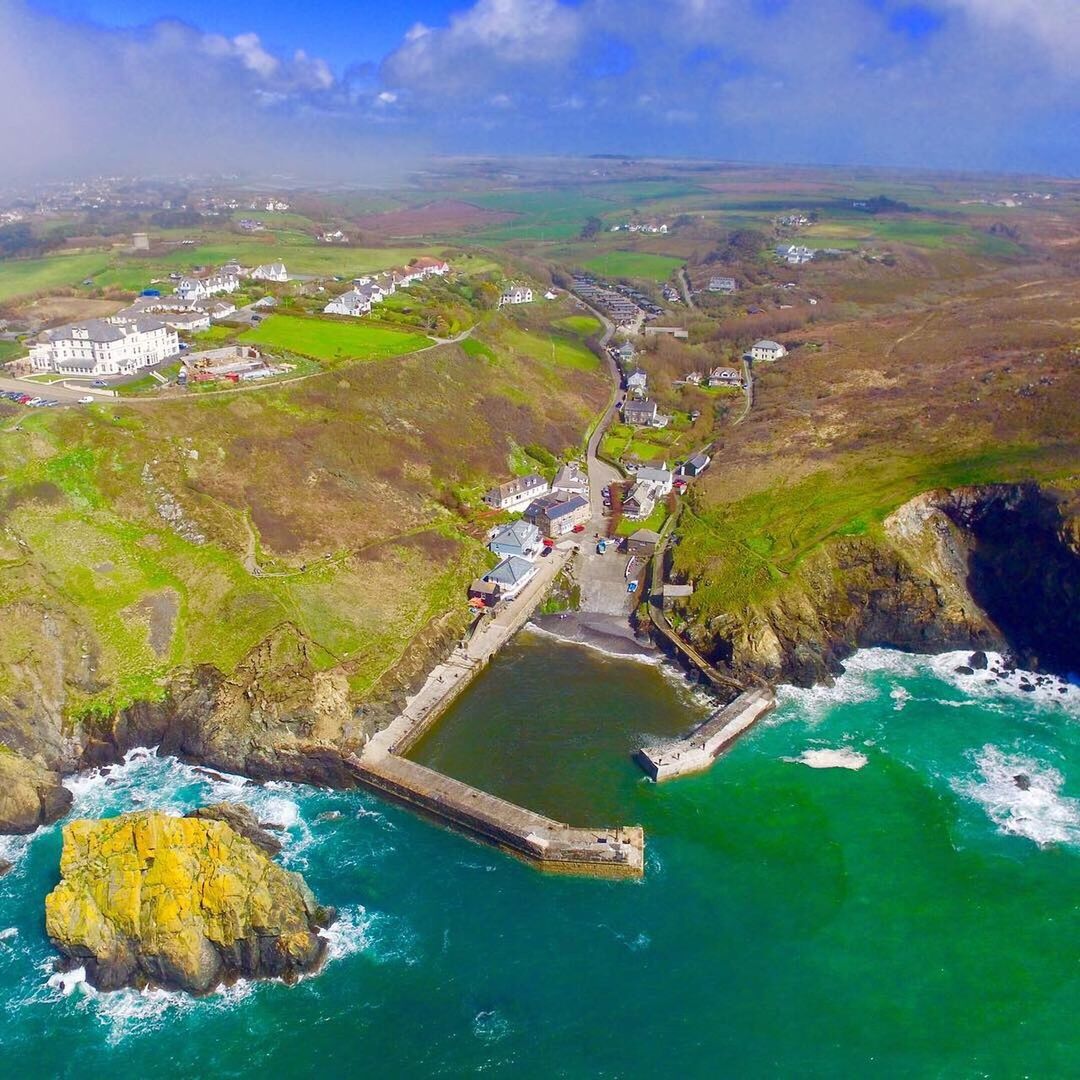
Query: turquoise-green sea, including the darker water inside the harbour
{"x":861,"y":887}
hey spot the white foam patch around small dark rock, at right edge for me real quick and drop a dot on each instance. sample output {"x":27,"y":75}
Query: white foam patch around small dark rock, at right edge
{"x":1023,"y":796}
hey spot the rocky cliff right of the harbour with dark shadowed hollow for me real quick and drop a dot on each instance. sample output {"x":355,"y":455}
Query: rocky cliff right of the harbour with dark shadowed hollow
{"x":991,"y":568}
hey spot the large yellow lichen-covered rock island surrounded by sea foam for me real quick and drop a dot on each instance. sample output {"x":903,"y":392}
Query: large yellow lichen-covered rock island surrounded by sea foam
{"x":181,"y":903}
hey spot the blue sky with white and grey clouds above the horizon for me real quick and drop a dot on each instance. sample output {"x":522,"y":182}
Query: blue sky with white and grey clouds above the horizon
{"x":364,"y":91}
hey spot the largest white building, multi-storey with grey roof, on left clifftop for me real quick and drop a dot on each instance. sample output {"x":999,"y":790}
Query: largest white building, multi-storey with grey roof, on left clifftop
{"x":116,"y":346}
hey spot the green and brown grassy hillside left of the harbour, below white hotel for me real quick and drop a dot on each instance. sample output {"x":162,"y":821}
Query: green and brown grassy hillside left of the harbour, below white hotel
{"x":166,"y":535}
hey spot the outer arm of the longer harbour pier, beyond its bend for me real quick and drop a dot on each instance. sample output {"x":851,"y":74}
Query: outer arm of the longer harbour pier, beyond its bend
{"x":543,"y":842}
